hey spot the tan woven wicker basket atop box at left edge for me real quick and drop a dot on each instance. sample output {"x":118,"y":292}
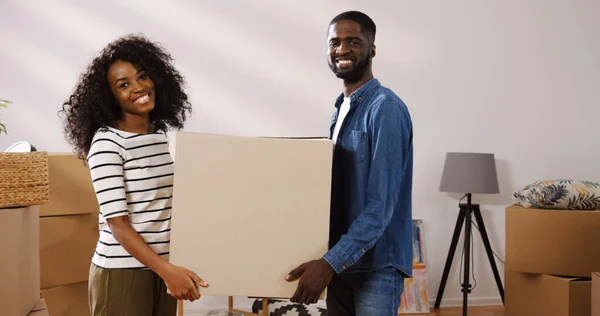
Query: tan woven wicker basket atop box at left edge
{"x":24,"y":179}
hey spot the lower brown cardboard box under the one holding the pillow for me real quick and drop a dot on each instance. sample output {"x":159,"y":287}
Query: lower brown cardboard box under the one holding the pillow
{"x":548,"y":295}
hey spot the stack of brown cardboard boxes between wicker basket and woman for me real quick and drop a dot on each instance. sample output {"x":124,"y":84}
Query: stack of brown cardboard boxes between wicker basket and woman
{"x":68,"y":236}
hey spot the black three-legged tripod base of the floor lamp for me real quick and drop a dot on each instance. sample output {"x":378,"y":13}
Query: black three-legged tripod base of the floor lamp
{"x":465,"y":216}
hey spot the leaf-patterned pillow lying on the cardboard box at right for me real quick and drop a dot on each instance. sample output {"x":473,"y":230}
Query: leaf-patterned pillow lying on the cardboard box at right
{"x":560,"y":194}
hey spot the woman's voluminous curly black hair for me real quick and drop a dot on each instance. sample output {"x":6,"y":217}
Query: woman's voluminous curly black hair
{"x":92,"y":105}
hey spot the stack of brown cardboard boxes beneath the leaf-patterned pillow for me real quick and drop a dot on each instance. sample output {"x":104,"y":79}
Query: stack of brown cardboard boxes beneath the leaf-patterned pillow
{"x":550,"y":258}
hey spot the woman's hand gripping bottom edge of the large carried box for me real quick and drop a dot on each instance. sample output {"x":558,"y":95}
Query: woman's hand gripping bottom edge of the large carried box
{"x":182,"y":283}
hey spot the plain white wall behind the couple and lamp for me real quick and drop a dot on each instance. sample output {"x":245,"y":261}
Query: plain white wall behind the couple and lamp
{"x":515,"y":78}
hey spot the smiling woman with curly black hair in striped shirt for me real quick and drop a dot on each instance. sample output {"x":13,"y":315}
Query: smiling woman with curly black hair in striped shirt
{"x":116,"y":119}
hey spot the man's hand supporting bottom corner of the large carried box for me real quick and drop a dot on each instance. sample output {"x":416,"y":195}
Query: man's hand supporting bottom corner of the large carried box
{"x":314,"y":277}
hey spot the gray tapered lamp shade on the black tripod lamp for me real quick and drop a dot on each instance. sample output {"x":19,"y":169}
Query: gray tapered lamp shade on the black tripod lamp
{"x":469,"y":173}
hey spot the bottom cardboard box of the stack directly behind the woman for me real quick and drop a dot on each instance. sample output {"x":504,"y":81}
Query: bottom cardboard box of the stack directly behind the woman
{"x":67,"y":300}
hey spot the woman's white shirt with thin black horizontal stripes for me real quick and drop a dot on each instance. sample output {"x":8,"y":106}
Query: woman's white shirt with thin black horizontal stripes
{"x":133,"y":176}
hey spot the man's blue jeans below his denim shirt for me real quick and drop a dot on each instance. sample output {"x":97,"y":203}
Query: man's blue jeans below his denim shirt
{"x":375,"y":293}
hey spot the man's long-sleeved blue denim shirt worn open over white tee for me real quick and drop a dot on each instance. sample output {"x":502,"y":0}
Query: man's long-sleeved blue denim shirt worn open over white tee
{"x":371,"y":201}
